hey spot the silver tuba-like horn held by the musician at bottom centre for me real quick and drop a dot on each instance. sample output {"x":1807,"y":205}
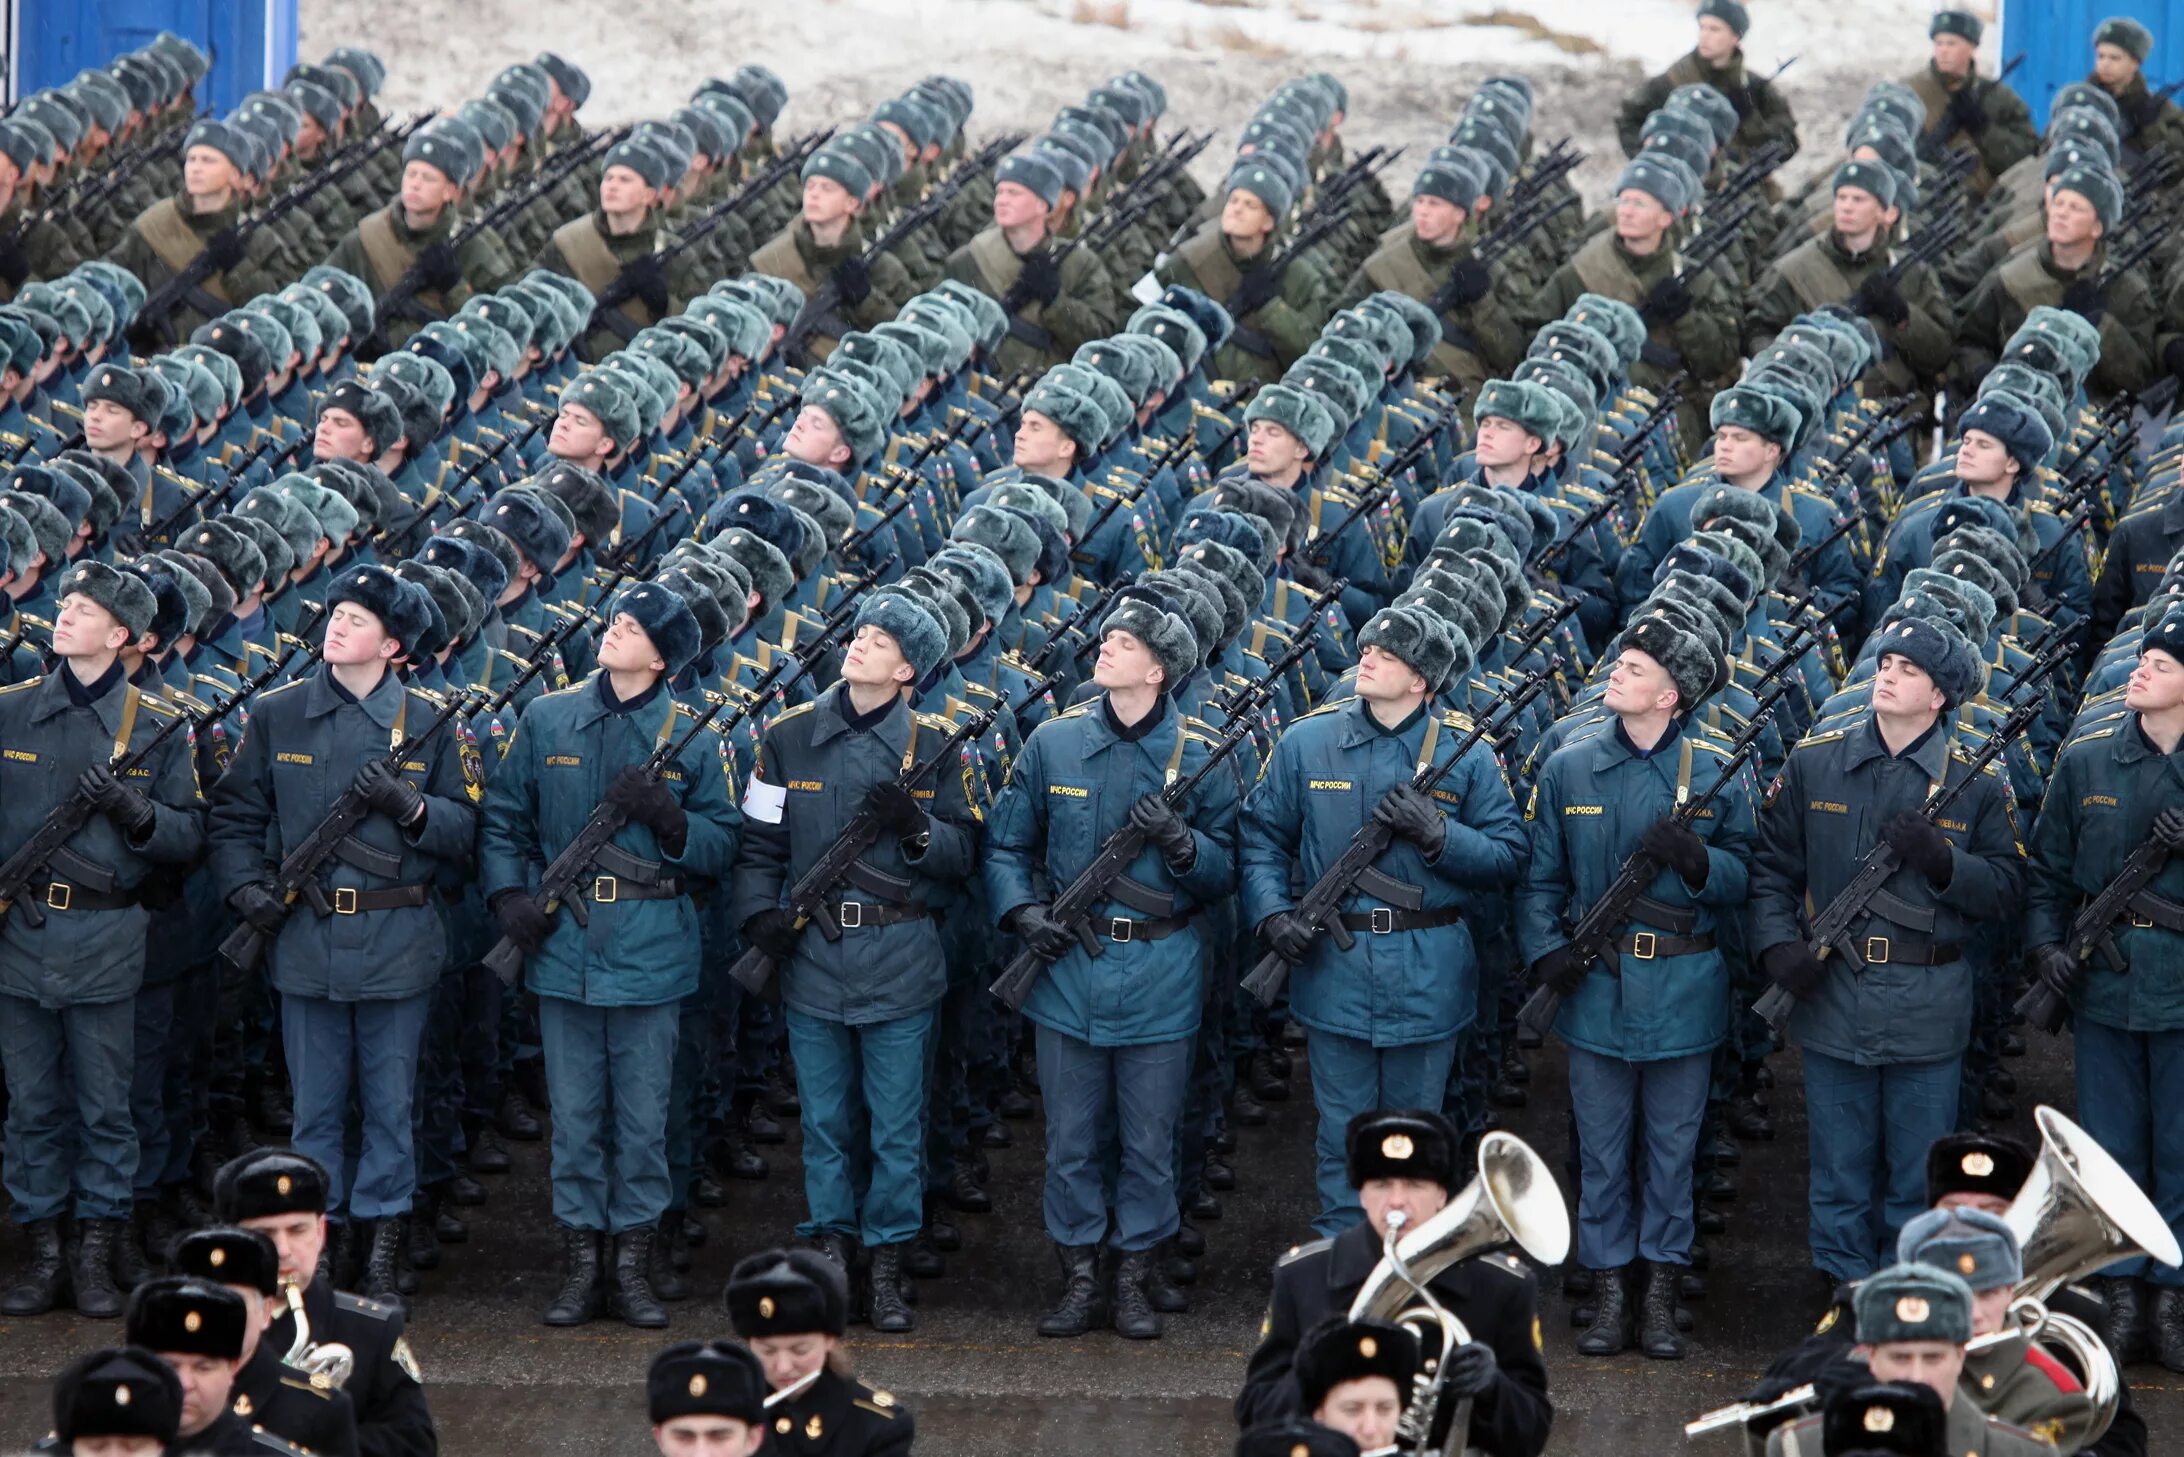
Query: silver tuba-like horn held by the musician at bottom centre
{"x":1512,"y":1198}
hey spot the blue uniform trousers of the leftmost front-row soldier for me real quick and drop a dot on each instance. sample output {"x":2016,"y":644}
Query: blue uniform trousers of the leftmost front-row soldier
{"x":69,"y":1130}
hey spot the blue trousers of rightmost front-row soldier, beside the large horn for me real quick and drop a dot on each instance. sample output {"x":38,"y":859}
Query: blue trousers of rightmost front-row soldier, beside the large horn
{"x":2130,"y":1091}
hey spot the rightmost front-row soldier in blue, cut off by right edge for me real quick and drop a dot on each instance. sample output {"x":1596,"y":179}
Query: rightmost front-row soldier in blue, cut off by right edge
{"x":2113,"y":790}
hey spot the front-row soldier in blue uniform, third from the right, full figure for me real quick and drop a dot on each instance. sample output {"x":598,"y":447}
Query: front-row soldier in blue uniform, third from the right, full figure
{"x":1646,"y":1021}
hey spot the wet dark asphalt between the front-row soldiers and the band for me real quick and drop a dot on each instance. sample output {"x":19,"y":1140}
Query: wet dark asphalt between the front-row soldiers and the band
{"x":977,"y":1375}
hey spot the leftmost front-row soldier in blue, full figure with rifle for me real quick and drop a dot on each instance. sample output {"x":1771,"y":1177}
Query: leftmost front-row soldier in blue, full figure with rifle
{"x":69,"y":982}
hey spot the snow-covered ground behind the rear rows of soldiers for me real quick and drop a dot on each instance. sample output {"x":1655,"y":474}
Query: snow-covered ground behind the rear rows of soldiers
{"x":1410,"y":64}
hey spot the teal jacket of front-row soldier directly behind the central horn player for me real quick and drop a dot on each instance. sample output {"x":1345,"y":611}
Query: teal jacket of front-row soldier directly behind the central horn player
{"x":1327,"y":777}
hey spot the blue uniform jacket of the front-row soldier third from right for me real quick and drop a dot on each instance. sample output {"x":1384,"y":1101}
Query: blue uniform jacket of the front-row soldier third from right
{"x":1593,"y":801}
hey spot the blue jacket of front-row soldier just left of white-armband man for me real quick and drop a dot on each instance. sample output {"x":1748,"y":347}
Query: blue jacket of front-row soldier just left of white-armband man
{"x":637,"y":945}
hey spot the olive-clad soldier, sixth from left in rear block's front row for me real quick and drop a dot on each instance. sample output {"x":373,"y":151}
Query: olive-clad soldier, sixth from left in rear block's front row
{"x":1058,"y":296}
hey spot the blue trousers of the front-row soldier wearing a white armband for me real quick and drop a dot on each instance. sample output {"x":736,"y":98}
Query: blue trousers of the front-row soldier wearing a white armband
{"x":873,"y":1069}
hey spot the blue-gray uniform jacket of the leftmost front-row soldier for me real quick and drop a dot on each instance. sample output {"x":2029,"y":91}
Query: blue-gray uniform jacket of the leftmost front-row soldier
{"x":93,"y":943}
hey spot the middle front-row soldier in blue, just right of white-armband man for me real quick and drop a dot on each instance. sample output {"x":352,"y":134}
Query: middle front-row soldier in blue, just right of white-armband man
{"x":1115,"y":1034}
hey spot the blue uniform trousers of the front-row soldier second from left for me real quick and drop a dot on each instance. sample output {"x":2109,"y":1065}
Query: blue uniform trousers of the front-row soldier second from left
{"x":372,"y":1047}
